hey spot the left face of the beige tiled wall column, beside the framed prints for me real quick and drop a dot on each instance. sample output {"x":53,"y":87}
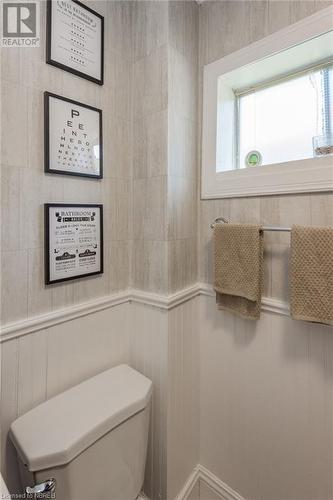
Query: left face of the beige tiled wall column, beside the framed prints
{"x":150,"y":145}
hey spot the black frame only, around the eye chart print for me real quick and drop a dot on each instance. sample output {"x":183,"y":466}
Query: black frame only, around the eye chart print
{"x":47,"y":159}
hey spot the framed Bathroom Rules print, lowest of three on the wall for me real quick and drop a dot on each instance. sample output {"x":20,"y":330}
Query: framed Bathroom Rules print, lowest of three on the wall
{"x":73,"y":241}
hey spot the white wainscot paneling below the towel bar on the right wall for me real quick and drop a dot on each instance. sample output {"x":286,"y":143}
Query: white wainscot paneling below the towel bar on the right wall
{"x":266,"y":404}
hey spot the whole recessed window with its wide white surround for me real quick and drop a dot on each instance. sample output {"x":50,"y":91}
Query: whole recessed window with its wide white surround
{"x":268,"y":114}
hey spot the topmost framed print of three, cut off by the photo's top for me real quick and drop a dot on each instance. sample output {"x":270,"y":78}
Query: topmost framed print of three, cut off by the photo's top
{"x":75,"y":39}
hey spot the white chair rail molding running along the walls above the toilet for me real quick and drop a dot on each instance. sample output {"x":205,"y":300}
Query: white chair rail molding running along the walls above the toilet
{"x":165,"y":302}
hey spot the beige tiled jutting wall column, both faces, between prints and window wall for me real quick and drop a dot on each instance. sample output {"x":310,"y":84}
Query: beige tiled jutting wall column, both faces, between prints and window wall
{"x":165,"y":37}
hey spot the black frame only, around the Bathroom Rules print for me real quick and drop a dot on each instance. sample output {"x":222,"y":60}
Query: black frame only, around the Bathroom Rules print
{"x":47,"y":207}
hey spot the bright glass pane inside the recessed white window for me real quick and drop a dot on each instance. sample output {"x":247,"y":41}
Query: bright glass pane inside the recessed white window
{"x":288,"y":119}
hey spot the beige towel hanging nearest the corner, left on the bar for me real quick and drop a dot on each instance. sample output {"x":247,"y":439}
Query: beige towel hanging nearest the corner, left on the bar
{"x":239,"y":268}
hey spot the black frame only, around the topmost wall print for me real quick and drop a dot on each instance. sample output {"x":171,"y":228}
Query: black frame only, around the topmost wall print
{"x":53,"y":62}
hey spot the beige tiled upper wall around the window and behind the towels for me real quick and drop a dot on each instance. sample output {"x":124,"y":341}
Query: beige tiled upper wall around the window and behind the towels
{"x":224,"y":28}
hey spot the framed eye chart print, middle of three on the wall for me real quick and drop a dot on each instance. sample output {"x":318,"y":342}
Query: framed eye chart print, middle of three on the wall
{"x":73,"y":137}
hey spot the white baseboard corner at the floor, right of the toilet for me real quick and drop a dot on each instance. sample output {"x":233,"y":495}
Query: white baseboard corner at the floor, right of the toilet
{"x":201,"y":474}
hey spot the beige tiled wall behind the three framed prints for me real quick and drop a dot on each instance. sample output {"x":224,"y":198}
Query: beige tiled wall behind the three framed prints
{"x":25,"y":187}
